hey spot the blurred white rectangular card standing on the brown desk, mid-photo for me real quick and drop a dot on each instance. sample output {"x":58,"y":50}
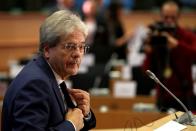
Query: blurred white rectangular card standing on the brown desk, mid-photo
{"x":124,"y":89}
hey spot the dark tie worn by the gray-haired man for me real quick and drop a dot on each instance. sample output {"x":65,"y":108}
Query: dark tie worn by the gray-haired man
{"x":66,"y":95}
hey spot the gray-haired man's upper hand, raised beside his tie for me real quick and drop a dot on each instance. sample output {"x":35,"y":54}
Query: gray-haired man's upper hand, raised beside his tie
{"x":82,"y":99}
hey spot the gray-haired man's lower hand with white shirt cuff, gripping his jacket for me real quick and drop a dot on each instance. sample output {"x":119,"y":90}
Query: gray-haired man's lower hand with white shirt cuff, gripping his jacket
{"x":76,"y":117}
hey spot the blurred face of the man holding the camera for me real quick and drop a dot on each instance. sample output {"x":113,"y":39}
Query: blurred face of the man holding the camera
{"x":170,"y":15}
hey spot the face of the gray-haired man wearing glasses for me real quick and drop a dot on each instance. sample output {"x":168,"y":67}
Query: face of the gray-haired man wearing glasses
{"x":66,"y":57}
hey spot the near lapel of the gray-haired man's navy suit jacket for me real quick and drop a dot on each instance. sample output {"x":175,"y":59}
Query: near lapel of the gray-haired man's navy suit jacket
{"x":44,"y":65}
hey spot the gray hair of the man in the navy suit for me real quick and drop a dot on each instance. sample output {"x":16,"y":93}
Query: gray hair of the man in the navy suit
{"x":60,"y":23}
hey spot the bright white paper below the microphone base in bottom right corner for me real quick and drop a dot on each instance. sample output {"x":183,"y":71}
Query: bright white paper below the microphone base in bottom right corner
{"x":171,"y":125}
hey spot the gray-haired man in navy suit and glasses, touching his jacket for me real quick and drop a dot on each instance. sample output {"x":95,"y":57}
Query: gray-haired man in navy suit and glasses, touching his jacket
{"x":34,"y":100}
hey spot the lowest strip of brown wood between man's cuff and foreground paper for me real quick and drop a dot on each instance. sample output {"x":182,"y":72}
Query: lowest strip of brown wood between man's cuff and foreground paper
{"x":125,"y":119}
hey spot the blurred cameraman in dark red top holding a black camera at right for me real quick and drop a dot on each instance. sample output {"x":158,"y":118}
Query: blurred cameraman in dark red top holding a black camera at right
{"x":171,"y":51}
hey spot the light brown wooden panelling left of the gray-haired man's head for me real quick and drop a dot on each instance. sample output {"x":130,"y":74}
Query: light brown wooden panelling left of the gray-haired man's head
{"x":18,"y":37}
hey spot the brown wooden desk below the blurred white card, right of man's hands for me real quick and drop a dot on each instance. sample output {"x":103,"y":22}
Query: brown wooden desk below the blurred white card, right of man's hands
{"x":120,"y":112}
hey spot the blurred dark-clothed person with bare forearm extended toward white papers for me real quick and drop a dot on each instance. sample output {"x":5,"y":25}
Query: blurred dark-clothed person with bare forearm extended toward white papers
{"x":118,"y":39}
